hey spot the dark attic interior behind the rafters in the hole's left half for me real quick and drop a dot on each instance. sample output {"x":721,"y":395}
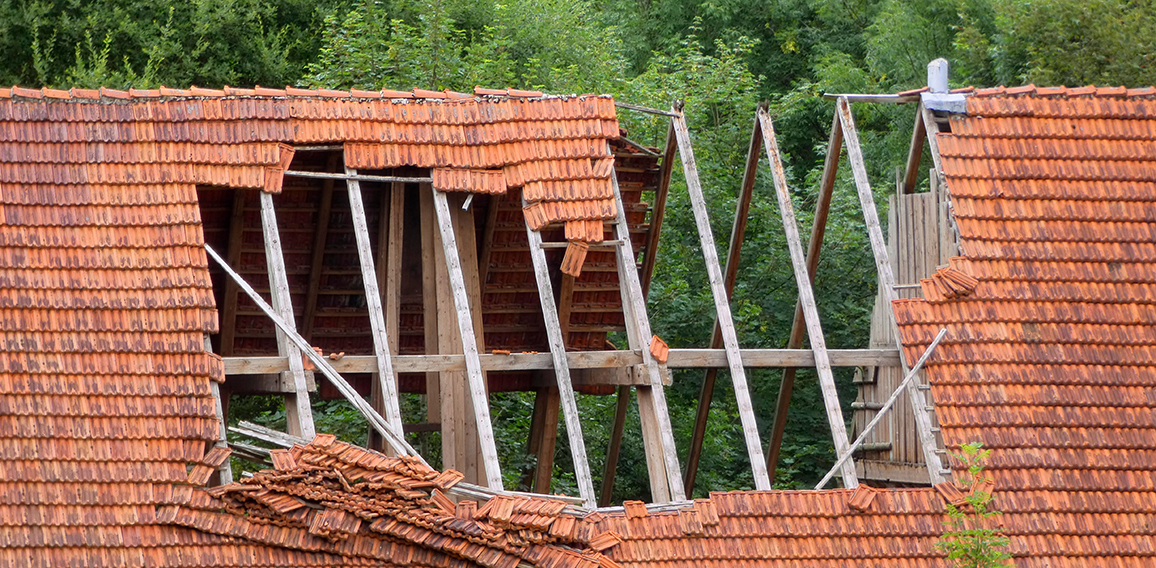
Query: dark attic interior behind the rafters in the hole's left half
{"x":329,"y":297}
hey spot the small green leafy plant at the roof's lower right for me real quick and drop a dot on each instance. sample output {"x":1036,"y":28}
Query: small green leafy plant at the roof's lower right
{"x":973,"y":540}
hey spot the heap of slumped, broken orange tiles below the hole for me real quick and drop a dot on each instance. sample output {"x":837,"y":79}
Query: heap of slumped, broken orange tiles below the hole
{"x":345,"y":500}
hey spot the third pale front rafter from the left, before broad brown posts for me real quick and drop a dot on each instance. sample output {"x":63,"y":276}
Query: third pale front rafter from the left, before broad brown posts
{"x":470,"y":344}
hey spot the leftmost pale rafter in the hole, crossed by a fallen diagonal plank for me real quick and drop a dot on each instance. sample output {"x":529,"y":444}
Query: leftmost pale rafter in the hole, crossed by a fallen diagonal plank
{"x":299,"y":412}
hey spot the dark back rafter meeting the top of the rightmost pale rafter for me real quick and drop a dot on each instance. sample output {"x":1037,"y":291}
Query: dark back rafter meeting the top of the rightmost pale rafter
{"x":798,"y":330}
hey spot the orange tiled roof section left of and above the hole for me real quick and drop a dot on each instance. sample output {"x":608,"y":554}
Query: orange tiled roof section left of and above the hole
{"x":106,"y":298}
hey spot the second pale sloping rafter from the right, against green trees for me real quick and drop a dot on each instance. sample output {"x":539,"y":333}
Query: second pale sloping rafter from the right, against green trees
{"x":807,"y":299}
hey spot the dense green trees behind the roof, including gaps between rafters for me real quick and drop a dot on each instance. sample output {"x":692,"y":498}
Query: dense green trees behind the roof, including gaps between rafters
{"x":722,"y":57}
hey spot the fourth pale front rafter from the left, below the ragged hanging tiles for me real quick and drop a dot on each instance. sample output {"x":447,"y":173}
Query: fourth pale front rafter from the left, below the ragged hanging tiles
{"x":561,"y":371}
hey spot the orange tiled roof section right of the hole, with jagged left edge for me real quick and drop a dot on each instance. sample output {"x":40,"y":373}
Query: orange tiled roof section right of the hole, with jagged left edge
{"x":1049,"y":360}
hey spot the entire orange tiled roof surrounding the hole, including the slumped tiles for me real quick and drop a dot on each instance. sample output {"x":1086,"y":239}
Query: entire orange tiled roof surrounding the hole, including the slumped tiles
{"x":106,"y":301}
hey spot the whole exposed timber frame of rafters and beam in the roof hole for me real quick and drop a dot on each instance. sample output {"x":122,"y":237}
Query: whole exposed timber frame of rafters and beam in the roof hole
{"x":403,"y":226}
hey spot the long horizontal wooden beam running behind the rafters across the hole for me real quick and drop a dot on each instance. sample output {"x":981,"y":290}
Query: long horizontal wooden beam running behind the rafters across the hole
{"x":679,"y":359}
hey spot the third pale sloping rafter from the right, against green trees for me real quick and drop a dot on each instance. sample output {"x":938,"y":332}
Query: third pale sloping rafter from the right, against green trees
{"x":722,"y":307}
